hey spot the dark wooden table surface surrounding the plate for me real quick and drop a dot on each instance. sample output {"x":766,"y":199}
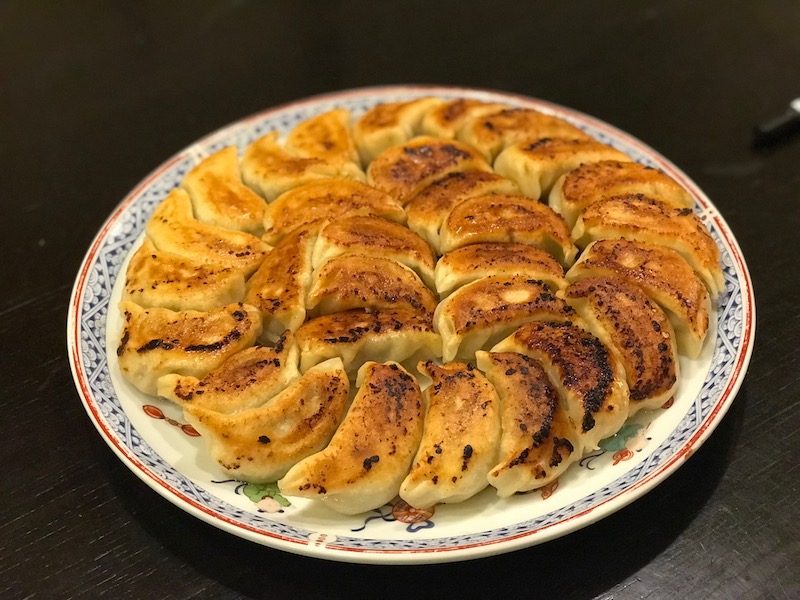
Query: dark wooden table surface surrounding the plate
{"x":93,"y":96}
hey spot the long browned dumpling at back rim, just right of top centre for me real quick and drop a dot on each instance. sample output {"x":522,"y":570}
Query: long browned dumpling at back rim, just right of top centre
{"x":492,"y":133}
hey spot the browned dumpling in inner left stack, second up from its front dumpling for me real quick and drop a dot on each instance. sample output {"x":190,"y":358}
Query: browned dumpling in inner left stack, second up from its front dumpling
{"x":359,"y":281}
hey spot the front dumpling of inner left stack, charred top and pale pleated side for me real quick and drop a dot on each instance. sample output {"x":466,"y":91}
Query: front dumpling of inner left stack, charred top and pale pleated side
{"x":359,"y":335}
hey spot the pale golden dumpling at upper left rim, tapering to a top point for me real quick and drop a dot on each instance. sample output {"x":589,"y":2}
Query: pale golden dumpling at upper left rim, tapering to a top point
{"x":220,"y":198}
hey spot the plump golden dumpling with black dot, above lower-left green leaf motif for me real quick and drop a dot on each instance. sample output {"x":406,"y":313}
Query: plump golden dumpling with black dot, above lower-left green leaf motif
{"x":261,"y":444}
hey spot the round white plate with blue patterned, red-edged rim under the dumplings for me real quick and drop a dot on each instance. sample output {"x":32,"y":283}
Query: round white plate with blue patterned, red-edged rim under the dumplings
{"x":174,"y":464}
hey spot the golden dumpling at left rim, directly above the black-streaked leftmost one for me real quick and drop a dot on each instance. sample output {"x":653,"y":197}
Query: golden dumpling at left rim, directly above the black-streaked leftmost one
{"x":166,"y":280}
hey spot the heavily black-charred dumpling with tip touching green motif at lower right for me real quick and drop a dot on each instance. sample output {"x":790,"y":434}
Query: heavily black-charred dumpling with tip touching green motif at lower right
{"x":589,"y":380}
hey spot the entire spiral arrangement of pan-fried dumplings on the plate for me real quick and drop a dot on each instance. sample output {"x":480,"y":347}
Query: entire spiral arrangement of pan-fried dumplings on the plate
{"x":434,"y":297}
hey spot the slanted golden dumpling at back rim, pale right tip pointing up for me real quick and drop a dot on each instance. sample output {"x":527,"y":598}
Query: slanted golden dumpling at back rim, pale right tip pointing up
{"x":389,"y":124}
